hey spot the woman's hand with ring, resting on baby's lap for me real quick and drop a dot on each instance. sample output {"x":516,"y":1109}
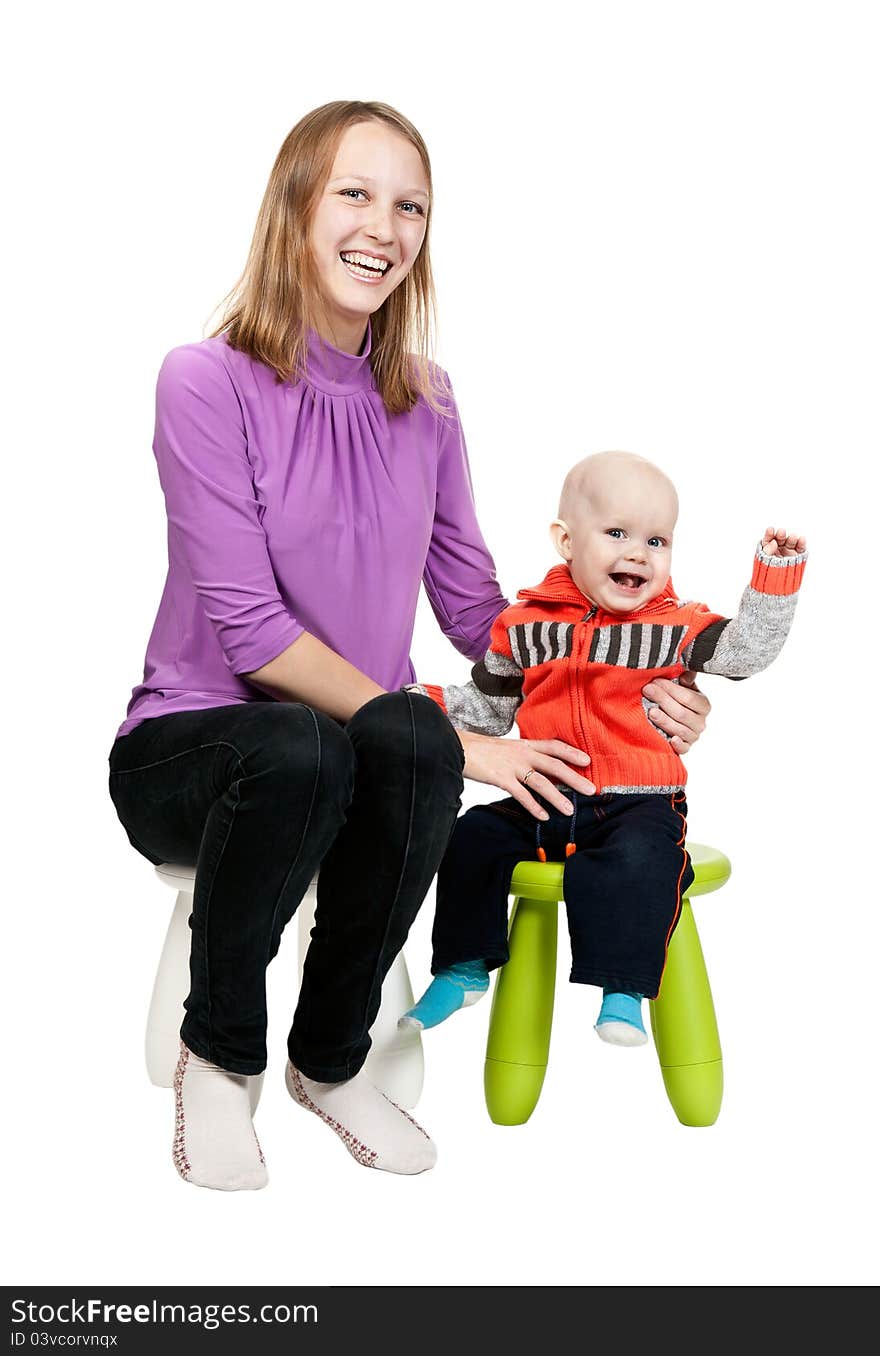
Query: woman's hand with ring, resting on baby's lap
{"x":513,"y":763}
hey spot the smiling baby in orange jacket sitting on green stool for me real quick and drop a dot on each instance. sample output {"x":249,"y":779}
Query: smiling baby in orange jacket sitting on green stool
{"x":569,"y":662}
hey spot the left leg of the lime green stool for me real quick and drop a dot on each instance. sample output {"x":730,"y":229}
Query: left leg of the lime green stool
{"x":523,"y":1015}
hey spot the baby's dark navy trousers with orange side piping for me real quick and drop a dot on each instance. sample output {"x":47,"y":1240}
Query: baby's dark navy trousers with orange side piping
{"x":623,"y":885}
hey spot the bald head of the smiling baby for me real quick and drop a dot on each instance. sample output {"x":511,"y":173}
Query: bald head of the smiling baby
{"x":615,"y":528}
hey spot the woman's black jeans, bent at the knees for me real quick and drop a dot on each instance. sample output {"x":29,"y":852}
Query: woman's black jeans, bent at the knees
{"x":258,"y":797}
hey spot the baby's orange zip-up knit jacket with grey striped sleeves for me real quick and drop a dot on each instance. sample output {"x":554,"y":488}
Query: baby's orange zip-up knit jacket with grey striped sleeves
{"x":563,"y":669}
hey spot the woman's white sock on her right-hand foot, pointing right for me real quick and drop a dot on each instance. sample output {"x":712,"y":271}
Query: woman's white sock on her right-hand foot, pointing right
{"x":372,"y":1128}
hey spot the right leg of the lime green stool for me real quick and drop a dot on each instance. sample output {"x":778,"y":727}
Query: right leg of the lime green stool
{"x":685,"y":1031}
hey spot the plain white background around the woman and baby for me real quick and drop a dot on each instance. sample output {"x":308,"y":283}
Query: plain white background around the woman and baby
{"x":656,"y":228}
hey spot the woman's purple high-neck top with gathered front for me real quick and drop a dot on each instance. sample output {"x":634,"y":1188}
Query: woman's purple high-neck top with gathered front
{"x":304,"y":508}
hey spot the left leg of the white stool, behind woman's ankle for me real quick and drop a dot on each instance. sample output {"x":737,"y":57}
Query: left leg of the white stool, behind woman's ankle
{"x":166,"y":1008}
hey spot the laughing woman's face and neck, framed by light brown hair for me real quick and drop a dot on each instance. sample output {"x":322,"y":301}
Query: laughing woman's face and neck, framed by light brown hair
{"x":368,"y":227}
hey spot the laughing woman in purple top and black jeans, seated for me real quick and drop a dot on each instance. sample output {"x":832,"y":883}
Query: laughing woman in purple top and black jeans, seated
{"x":315,"y":474}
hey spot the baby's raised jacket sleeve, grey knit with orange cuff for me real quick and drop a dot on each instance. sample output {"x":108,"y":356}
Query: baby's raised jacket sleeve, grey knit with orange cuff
{"x":742,"y":646}
